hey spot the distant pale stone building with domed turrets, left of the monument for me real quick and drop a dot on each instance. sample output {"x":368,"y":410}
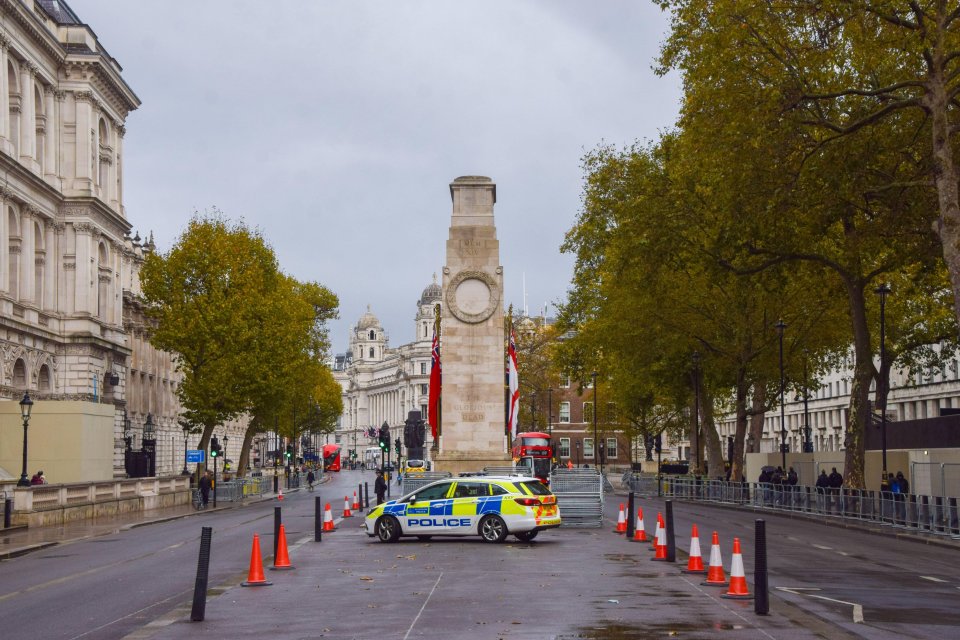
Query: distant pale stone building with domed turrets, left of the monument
{"x":382,"y":384}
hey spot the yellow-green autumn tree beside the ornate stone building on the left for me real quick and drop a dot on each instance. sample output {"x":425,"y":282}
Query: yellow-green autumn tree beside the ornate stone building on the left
{"x":247,"y":338}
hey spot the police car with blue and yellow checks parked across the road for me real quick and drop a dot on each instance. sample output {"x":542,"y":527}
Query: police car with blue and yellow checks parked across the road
{"x":492,"y":507}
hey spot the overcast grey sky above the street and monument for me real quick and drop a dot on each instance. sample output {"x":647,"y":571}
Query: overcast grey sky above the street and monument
{"x":335,"y":128}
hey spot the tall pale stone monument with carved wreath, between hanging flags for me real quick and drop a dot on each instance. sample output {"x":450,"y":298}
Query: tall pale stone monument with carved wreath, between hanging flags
{"x":472,"y":345}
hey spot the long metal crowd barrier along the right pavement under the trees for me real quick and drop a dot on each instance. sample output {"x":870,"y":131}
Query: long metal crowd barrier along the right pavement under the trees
{"x":931,"y":514}
